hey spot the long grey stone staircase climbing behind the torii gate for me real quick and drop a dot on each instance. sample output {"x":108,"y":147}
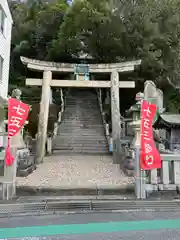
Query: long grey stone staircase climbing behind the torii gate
{"x":81,"y":130}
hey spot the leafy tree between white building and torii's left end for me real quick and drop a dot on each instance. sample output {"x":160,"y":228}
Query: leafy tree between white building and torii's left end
{"x":36,"y":24}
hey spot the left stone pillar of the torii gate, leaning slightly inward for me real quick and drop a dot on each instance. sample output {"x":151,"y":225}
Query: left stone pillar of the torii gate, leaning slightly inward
{"x":43,"y":116}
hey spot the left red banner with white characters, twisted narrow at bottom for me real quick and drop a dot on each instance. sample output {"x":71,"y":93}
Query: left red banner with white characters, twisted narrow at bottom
{"x":17,"y":115}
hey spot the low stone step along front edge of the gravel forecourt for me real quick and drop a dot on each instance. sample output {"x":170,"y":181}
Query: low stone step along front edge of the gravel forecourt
{"x":74,"y":191}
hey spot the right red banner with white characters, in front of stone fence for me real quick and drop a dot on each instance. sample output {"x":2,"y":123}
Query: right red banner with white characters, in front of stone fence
{"x":150,"y":157}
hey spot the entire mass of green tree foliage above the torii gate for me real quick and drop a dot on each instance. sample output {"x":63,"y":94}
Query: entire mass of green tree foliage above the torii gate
{"x":108,"y":30}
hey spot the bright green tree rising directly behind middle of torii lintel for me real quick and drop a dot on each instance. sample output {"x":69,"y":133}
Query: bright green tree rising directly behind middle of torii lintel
{"x":85,"y":26}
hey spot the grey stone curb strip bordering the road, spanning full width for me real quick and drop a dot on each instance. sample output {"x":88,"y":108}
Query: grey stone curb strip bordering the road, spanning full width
{"x":37,"y":208}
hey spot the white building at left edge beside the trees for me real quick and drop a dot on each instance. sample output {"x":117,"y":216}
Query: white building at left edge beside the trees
{"x":5,"y":45}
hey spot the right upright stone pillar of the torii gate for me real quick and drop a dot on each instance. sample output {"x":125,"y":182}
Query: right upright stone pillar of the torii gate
{"x":115,"y":116}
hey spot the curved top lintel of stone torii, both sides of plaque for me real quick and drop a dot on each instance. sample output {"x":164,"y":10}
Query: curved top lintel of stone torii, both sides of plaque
{"x":68,"y":67}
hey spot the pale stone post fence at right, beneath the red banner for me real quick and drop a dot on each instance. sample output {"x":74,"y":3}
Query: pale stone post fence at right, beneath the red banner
{"x":166,"y":178}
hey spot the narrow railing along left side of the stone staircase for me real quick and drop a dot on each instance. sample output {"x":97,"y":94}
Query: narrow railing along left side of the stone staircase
{"x":56,"y":125}
